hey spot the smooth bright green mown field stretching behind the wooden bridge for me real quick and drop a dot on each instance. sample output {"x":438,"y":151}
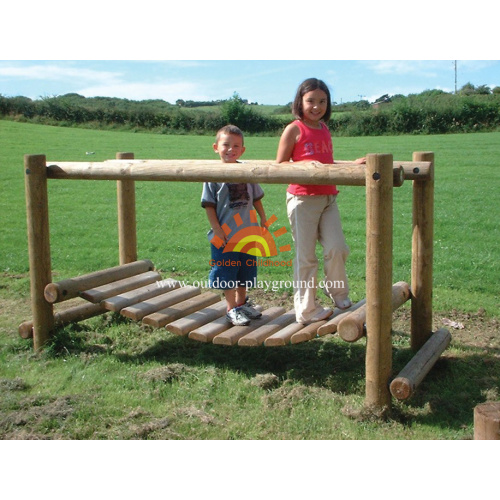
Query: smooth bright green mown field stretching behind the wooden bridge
{"x":172,"y":226}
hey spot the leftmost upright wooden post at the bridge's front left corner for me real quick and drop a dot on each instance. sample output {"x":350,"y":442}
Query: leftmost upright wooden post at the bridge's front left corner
{"x":37,"y":215}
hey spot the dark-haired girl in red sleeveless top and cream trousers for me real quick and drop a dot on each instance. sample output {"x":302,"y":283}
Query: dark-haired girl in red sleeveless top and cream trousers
{"x":312,"y":209}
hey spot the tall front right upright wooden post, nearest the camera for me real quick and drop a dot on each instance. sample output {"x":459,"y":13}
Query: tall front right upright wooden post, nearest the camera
{"x":379,"y":202}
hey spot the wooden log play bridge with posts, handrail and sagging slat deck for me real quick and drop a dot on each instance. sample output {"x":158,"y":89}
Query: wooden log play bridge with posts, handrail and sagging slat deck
{"x":135,"y":290}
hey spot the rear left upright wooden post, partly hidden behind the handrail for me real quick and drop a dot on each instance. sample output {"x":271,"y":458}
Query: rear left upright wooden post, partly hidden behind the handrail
{"x":127,"y":232}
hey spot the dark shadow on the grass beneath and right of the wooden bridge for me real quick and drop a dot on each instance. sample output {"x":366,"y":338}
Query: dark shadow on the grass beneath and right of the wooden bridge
{"x":446,"y":397}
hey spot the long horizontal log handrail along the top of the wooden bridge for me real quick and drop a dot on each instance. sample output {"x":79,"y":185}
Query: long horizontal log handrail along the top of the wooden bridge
{"x":342,"y":173}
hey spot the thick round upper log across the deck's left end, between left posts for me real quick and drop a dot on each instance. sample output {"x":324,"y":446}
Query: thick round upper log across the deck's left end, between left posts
{"x":70,"y":288}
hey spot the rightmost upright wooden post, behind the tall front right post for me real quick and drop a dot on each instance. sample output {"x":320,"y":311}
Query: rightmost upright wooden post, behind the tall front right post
{"x":422,"y":255}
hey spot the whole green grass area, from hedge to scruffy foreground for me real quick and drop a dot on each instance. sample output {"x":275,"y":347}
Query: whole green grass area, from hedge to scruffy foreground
{"x":108,"y":379}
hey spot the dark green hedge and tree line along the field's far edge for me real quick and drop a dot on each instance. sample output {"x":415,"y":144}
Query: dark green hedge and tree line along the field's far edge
{"x":430,"y":112}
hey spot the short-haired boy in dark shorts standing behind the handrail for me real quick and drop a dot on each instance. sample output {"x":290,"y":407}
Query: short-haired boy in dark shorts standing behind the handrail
{"x":232,"y":271}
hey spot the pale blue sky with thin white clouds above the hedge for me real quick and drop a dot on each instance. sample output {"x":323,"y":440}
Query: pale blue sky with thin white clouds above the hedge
{"x":261,"y":81}
